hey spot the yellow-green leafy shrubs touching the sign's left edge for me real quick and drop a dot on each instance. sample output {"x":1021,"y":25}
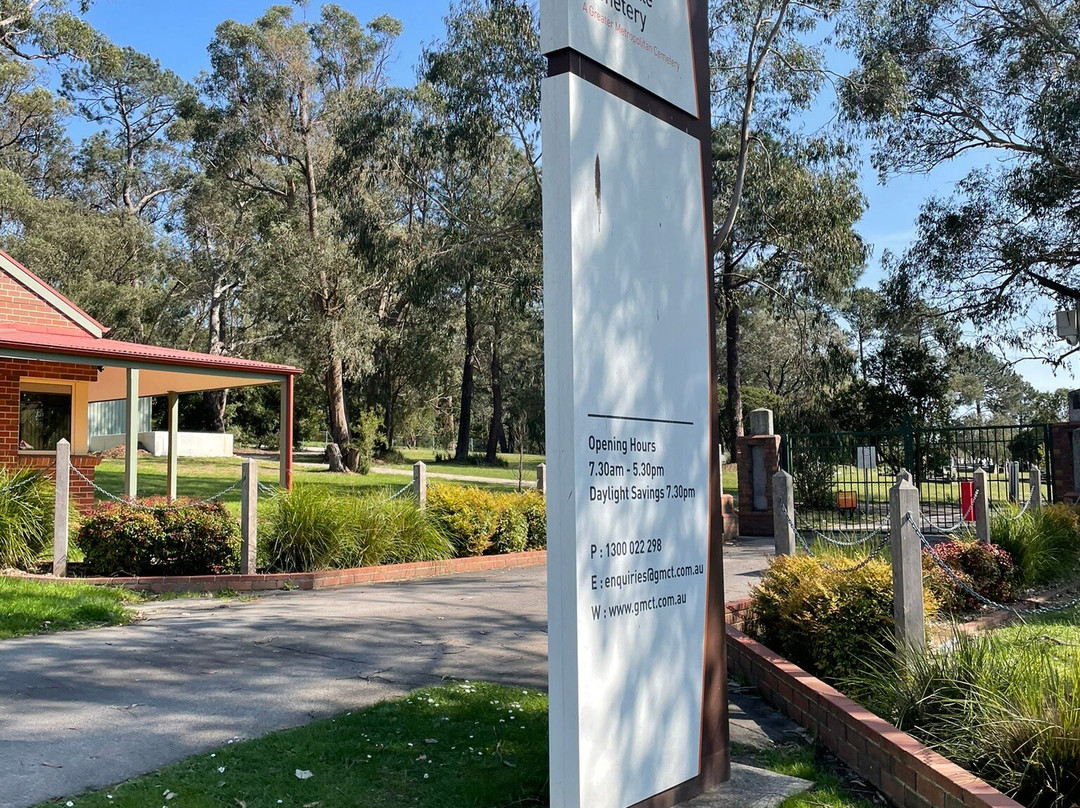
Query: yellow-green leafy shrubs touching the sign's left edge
{"x":480,"y":522}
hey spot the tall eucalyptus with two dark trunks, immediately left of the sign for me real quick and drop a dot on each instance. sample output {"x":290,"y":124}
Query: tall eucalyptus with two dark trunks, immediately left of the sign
{"x":488,"y":74}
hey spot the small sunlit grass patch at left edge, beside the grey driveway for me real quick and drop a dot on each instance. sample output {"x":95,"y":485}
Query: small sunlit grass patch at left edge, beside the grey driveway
{"x":35,"y":608}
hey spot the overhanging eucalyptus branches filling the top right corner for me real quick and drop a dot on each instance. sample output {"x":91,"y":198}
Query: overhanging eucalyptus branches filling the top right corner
{"x":998,"y":83}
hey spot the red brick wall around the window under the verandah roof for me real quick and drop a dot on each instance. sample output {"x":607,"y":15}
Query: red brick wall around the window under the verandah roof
{"x":11,"y":372}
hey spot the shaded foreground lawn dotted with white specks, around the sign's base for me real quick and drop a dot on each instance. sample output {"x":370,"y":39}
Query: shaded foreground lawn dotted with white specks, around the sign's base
{"x":465,"y":745}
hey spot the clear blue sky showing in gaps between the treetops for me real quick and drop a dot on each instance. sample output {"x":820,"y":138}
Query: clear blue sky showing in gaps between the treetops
{"x":178,"y":34}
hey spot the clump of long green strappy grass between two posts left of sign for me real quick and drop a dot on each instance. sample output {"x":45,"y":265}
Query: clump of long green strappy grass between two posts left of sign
{"x":310,"y":529}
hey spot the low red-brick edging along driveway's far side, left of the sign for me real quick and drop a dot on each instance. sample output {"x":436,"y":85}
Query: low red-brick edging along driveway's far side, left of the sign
{"x":326,"y":580}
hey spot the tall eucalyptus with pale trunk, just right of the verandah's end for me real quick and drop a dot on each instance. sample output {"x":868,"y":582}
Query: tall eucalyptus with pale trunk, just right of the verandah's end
{"x":275,"y":96}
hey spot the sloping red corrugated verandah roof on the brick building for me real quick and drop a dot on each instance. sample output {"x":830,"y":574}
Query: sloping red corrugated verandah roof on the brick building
{"x":72,"y":345}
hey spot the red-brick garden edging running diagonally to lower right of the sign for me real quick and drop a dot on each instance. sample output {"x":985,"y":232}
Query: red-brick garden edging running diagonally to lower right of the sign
{"x":908,"y":773}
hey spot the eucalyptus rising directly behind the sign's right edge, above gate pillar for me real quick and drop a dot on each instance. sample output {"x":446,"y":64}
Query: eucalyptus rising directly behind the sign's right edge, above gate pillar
{"x":766,"y":70}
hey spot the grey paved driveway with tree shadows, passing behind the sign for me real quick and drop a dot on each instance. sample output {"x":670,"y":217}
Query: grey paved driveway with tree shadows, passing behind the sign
{"x":84,"y":710}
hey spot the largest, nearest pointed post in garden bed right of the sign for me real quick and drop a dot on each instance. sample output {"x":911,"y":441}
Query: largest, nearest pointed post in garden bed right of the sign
{"x":907,"y":565}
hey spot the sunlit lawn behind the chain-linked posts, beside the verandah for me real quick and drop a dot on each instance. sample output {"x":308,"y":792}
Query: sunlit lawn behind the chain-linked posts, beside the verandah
{"x":205,"y":478}
